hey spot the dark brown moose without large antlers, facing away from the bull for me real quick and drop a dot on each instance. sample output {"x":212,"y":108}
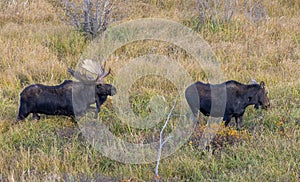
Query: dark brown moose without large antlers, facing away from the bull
{"x":237,"y":98}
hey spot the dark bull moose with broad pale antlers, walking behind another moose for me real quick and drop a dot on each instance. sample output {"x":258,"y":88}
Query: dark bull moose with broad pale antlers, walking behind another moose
{"x":70,"y":98}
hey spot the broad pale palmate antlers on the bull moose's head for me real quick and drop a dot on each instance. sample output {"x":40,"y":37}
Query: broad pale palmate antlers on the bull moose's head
{"x":92,"y":67}
